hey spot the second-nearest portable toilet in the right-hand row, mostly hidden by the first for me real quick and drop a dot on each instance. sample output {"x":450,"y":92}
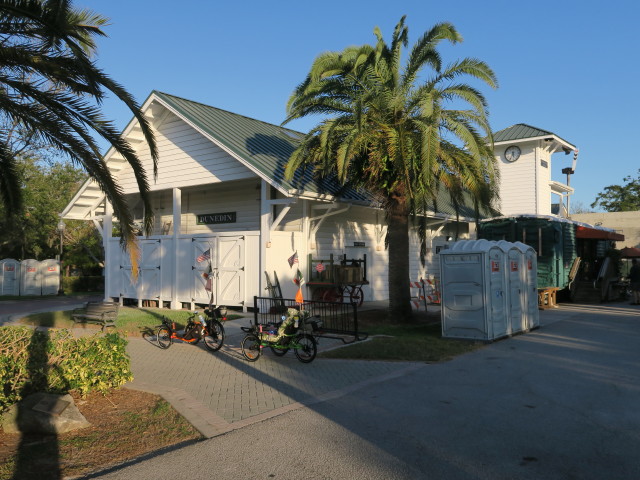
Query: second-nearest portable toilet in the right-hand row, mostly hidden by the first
{"x":515,"y":296}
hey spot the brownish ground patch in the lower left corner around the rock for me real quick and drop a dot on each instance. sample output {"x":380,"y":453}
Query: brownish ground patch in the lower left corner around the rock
{"x":125,"y":424}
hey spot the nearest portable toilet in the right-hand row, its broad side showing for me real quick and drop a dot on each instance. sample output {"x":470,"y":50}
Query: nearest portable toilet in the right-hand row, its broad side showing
{"x":473,"y":291}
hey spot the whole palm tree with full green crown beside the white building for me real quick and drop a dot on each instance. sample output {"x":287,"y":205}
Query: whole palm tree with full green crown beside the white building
{"x":387,"y":129}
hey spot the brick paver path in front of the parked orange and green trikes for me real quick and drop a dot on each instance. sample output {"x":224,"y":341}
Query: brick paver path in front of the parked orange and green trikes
{"x":222,"y":388}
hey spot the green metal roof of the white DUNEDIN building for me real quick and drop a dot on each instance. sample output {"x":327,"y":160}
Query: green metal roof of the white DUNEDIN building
{"x":266,"y":148}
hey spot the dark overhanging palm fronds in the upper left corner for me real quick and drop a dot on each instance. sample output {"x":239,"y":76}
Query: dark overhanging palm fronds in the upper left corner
{"x":50,"y":87}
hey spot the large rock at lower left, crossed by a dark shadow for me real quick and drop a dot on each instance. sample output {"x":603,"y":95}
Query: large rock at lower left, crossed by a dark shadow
{"x":44,"y":413}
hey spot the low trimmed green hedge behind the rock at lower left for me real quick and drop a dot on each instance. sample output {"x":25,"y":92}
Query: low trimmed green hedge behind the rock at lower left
{"x":36,"y":361}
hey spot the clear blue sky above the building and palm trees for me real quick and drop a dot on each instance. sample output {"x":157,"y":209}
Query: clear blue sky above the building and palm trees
{"x":567,"y":66}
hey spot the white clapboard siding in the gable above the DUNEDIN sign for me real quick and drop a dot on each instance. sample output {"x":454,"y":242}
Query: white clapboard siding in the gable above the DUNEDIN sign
{"x":186,"y":158}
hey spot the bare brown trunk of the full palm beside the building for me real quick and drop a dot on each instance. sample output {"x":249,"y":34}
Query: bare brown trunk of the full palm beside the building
{"x":398,"y":236}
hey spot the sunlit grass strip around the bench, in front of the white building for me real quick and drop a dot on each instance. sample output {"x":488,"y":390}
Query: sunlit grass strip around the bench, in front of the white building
{"x":131,"y":320}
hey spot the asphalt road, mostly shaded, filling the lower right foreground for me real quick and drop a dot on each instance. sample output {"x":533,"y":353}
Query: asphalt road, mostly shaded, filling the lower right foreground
{"x":561,"y":402}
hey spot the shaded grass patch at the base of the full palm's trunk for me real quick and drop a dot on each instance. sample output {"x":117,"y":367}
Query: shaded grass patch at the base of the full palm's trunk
{"x":421,"y":342}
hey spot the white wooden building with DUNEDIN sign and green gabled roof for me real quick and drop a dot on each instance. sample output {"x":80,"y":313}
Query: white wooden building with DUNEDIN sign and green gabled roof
{"x":220,"y":191}
